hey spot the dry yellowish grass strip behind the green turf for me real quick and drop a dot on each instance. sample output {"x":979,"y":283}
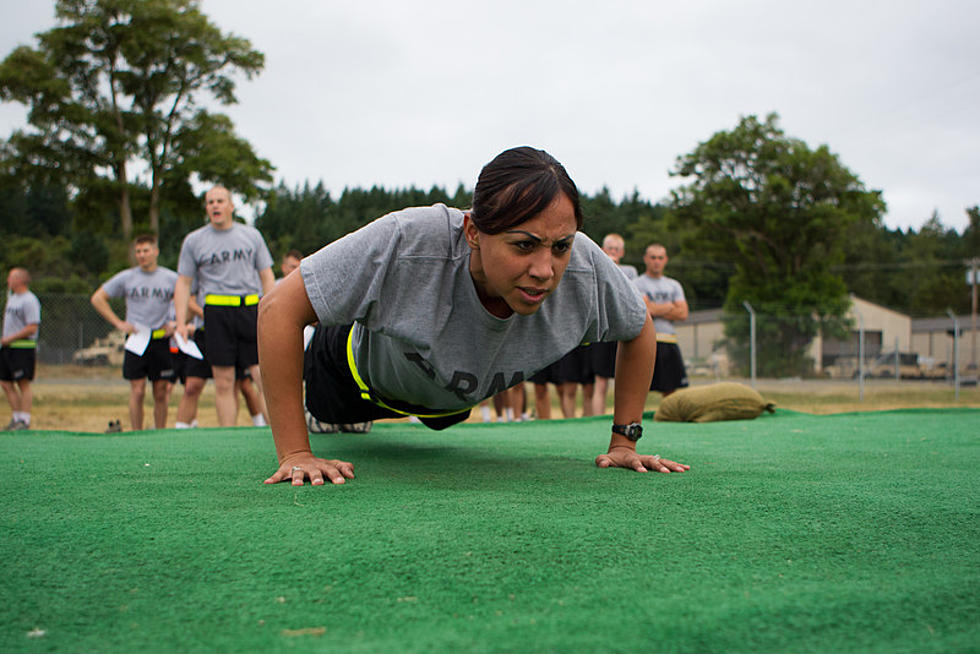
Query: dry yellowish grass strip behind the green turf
{"x":85,"y":399}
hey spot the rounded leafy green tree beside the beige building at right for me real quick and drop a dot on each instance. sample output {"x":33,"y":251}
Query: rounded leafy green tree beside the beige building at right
{"x":779,"y":211}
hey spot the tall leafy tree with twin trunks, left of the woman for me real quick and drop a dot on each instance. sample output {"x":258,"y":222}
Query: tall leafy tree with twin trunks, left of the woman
{"x":117,"y":87}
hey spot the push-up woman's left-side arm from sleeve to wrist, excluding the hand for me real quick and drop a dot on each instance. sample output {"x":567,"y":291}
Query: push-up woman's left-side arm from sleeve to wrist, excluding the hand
{"x":280,"y":336}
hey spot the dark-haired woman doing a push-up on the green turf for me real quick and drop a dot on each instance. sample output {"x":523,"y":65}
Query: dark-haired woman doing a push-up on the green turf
{"x":428,"y":311}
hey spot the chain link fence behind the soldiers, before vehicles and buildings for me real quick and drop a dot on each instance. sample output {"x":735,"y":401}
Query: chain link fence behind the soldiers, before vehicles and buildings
{"x":880,"y":345}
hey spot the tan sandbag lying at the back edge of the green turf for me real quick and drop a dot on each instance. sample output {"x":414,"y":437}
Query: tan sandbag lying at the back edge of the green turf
{"x":711,"y":403}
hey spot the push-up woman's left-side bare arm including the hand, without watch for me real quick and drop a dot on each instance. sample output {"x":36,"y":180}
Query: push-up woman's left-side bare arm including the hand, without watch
{"x":283,"y":313}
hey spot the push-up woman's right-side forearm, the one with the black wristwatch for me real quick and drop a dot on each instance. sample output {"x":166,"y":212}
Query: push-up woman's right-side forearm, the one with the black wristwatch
{"x":634,"y":370}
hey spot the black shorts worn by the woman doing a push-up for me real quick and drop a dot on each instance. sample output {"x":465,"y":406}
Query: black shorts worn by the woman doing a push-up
{"x":333,"y":396}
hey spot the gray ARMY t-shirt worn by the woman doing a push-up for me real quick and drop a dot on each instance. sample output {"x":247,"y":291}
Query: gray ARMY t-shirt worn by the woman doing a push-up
{"x":422,"y":335}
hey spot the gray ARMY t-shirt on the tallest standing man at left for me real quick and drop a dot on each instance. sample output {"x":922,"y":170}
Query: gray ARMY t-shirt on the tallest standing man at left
{"x":225,"y":261}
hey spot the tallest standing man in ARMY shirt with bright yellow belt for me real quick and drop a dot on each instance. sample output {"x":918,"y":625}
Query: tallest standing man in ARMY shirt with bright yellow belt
{"x":233,"y":267}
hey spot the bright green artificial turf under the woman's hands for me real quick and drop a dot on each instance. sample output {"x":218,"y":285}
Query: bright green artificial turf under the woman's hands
{"x":846,"y":533}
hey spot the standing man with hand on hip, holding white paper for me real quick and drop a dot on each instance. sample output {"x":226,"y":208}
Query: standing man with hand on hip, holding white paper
{"x":149,"y":291}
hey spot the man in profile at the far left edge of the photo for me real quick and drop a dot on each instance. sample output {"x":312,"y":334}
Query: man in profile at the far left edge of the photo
{"x":21,"y":319}
